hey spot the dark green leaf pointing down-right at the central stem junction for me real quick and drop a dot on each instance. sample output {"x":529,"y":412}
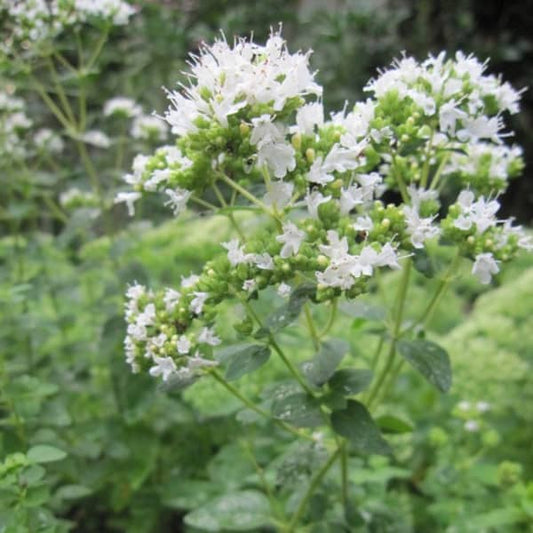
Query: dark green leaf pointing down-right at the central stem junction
{"x":356,"y":424}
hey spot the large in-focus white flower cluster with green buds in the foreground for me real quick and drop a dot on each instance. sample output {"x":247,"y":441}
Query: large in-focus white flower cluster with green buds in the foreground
{"x":250,"y":131}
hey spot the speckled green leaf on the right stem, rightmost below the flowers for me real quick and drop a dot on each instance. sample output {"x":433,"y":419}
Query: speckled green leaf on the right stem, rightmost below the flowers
{"x":430,"y":359}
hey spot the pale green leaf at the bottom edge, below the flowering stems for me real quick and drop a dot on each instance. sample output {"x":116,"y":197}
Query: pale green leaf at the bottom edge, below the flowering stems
{"x":247,"y":510}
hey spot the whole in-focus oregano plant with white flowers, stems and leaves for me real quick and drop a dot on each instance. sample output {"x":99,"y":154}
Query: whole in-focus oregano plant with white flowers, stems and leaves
{"x":322,"y":208}
